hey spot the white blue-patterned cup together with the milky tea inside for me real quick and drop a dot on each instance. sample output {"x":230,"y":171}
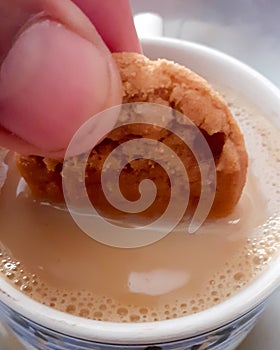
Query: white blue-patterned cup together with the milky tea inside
{"x":61,"y":289}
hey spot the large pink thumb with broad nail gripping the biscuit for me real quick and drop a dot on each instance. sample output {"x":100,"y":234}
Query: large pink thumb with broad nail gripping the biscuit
{"x":51,"y":81}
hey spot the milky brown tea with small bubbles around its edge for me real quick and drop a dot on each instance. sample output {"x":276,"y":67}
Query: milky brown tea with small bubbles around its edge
{"x":47,"y":257}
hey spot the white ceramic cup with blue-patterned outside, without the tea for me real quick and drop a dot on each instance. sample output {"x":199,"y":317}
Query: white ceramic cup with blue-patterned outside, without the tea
{"x":221,"y":327}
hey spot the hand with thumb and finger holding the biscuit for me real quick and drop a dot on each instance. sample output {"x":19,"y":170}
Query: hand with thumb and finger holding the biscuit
{"x":56,"y":70}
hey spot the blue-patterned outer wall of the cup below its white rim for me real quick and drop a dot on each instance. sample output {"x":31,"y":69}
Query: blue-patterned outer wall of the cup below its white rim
{"x":224,"y":338}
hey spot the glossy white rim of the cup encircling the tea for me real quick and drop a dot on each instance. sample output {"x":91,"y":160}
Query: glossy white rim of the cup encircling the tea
{"x":177,"y":328}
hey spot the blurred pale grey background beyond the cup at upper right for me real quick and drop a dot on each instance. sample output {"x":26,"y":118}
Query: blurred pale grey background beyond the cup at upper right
{"x":246,"y":29}
